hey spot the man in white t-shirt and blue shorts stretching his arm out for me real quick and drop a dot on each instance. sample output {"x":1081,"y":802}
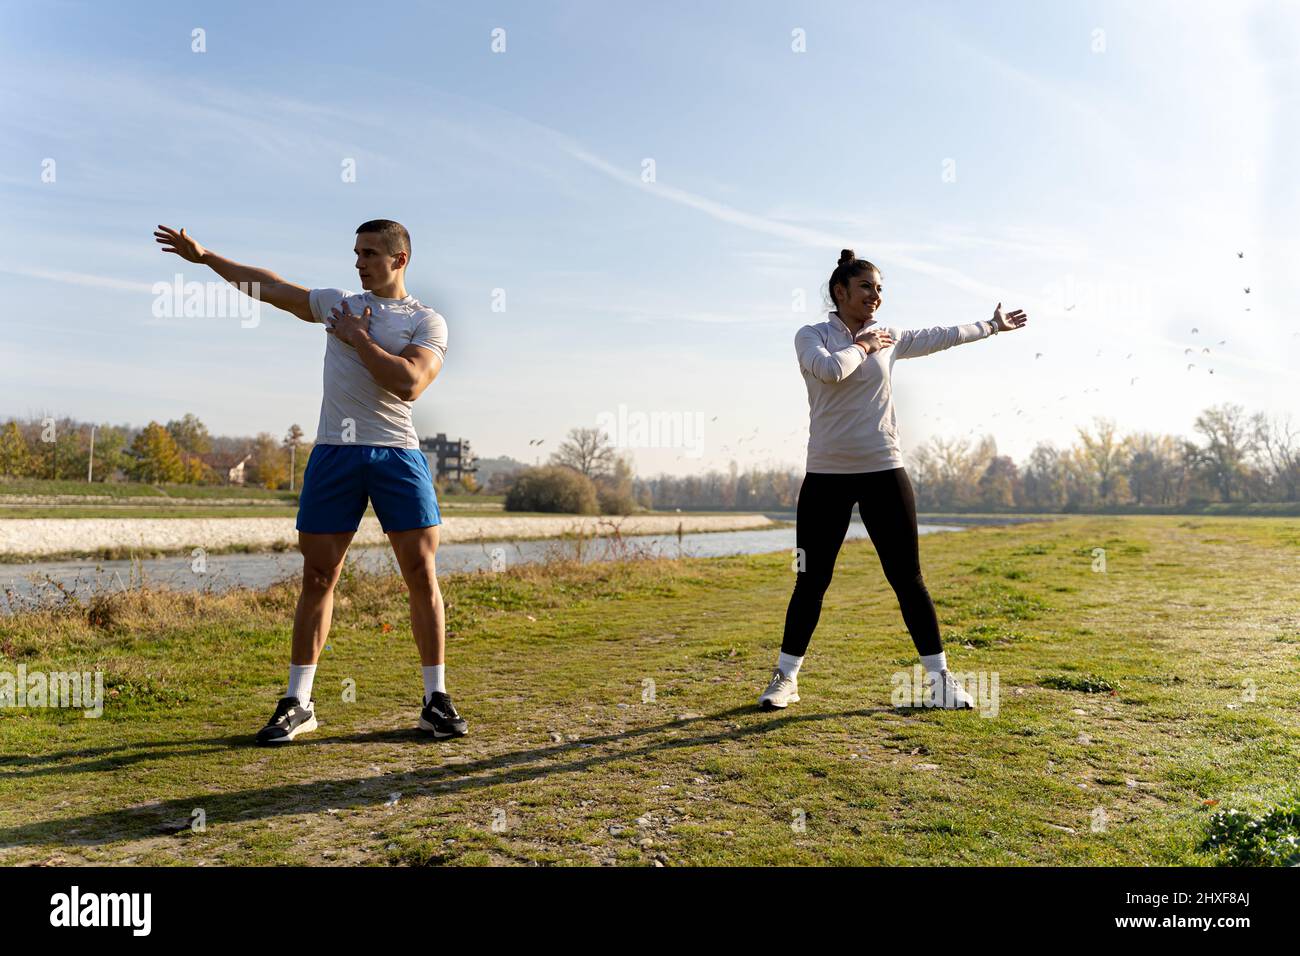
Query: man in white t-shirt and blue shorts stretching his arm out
{"x":383,"y":351}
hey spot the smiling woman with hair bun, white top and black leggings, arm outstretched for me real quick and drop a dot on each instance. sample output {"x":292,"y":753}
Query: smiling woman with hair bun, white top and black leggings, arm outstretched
{"x":855,"y":458}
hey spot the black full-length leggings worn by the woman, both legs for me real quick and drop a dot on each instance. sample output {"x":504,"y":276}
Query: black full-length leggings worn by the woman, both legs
{"x":889,"y":509}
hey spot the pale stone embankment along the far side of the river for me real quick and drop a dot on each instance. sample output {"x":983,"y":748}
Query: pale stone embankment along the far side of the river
{"x":90,"y":537}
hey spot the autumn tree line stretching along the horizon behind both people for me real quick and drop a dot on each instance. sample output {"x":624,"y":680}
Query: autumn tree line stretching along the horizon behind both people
{"x":1234,"y":457}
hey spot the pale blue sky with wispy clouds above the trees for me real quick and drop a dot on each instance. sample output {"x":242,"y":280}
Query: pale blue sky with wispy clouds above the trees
{"x":626,"y":211}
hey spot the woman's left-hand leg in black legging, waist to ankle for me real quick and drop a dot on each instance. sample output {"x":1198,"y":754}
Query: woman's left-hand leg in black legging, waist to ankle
{"x":822,"y":521}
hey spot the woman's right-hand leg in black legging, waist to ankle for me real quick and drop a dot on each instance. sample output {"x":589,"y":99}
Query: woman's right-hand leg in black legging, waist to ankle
{"x":889,"y":508}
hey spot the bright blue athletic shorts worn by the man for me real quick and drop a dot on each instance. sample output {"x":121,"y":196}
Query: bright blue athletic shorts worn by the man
{"x":341,"y":478}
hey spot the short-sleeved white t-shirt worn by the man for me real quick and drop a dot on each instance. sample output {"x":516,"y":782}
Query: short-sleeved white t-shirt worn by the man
{"x":356,"y":409}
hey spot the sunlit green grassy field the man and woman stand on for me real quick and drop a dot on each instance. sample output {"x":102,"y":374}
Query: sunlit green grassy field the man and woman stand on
{"x":1134,"y":704}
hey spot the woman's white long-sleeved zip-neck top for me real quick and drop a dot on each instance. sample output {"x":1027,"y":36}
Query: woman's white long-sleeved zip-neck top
{"x":852,"y":422}
